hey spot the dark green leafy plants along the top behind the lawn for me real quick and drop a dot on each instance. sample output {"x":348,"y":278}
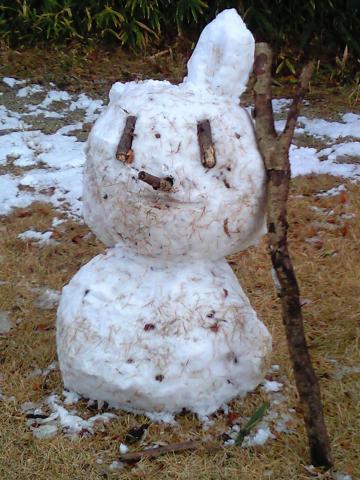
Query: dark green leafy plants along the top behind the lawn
{"x":319,"y":26}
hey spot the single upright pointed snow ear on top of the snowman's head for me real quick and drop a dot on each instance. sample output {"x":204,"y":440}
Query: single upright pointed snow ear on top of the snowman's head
{"x":224,"y":55}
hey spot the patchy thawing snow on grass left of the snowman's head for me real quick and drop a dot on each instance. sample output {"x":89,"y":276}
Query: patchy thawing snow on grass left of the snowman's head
{"x":56,"y":159}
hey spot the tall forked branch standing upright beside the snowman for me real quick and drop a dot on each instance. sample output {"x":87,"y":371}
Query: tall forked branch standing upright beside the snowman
{"x":275,"y":152}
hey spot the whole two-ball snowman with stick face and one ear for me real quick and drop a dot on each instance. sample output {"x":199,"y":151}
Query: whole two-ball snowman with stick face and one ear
{"x":173,"y":182}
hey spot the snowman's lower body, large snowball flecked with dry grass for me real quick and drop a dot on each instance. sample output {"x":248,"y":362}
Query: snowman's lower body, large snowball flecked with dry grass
{"x":198,"y":326}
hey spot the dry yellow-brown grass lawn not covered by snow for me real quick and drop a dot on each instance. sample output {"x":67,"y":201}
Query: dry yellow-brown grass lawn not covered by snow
{"x":328,"y":271}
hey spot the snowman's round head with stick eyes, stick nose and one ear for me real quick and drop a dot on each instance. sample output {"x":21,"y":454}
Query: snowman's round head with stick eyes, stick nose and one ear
{"x":173,"y":170}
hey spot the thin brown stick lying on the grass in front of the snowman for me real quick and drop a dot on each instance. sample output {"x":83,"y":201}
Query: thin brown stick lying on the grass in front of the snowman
{"x":171,"y":448}
